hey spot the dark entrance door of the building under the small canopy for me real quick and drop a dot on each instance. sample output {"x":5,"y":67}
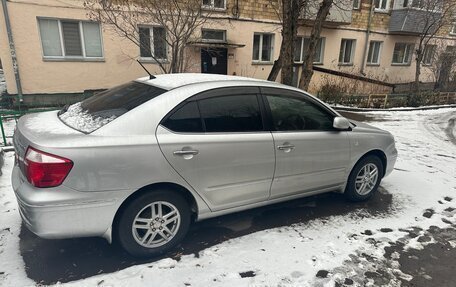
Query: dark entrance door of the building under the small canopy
{"x":214,"y":61}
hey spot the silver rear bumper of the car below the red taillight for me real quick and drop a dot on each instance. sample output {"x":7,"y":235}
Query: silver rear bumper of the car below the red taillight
{"x":63,"y":212}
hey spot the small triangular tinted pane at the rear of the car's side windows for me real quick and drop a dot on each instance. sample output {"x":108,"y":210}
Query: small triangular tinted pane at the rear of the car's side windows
{"x":186,"y":119}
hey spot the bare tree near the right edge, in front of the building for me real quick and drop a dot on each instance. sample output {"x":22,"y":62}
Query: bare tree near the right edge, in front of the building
{"x":434,"y":15}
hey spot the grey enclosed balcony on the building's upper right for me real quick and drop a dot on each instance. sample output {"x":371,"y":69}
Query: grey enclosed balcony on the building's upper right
{"x":413,"y":21}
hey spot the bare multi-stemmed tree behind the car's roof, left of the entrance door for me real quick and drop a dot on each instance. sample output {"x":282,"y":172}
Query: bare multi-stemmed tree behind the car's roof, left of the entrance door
{"x":175,"y":22}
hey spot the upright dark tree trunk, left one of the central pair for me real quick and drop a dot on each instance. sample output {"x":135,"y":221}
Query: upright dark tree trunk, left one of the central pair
{"x":289,"y":32}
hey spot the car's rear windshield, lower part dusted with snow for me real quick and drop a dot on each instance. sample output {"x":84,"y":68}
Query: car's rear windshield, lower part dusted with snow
{"x":102,"y":108}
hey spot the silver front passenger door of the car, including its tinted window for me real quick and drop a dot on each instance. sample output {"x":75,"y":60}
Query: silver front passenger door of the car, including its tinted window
{"x":310,"y":154}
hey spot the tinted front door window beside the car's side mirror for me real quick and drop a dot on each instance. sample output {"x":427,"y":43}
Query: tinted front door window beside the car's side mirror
{"x":292,"y":114}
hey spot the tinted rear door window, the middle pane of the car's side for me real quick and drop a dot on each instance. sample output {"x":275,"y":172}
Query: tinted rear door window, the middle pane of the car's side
{"x":238,"y":113}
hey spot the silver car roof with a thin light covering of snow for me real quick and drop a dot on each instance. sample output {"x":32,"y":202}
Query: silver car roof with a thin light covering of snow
{"x":172,"y":81}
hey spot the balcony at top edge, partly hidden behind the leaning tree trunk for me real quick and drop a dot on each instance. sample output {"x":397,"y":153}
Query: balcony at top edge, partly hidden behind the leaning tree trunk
{"x":337,"y":15}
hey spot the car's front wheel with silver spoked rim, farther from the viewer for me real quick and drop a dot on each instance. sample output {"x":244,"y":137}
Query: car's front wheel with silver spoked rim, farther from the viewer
{"x":355,"y":191}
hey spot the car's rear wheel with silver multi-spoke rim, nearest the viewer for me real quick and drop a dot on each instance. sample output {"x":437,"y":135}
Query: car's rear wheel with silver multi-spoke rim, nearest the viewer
{"x":147,"y":237}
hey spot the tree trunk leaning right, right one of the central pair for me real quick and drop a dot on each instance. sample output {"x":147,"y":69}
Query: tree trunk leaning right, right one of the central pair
{"x":307,"y":65}
